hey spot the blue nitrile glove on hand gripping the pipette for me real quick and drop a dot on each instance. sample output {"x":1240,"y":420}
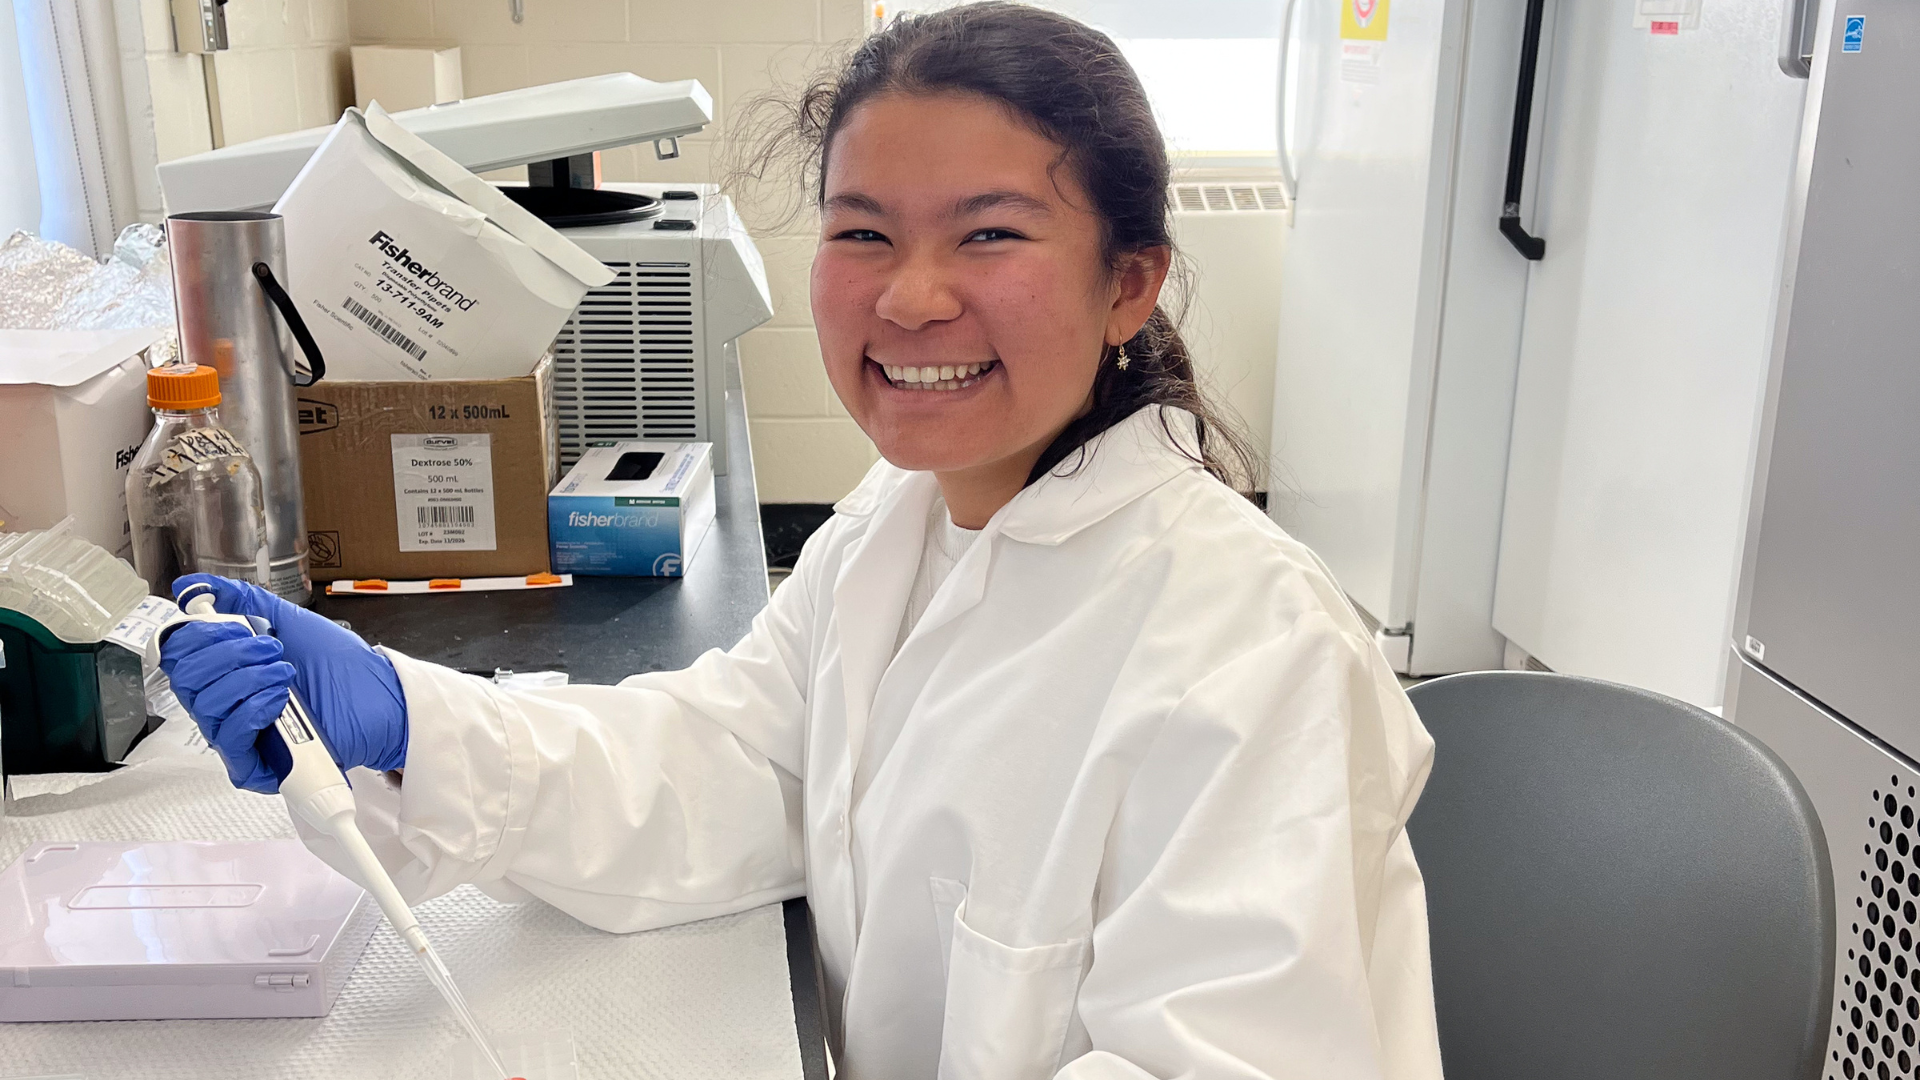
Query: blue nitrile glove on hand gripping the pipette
{"x":235,"y":685}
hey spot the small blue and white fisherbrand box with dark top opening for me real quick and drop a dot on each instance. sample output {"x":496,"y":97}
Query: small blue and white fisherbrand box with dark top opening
{"x":633,"y":510}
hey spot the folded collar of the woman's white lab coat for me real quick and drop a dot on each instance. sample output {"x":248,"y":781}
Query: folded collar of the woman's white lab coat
{"x":1116,"y":468}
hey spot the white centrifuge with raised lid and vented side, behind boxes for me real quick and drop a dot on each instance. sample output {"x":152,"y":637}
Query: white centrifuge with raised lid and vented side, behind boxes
{"x":642,"y":358}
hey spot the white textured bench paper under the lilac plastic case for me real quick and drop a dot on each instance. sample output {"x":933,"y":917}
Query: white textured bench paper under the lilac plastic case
{"x":688,"y":1002}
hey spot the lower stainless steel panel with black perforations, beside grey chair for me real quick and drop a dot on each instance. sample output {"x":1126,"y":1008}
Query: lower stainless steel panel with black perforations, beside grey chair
{"x":1852,"y":779}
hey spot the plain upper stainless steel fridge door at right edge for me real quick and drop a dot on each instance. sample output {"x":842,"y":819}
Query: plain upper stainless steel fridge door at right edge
{"x":1831,"y":585}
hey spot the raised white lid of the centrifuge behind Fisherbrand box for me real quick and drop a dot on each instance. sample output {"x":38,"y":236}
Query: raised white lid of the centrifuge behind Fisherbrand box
{"x":496,"y":132}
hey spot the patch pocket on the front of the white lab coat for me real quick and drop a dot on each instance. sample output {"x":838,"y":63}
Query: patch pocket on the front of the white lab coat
{"x":1007,"y":1010}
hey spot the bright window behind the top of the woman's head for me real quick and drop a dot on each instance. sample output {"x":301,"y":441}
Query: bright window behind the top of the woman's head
{"x":1209,"y":66}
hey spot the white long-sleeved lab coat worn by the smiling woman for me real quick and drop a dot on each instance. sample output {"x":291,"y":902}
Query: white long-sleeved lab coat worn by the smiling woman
{"x":1130,"y":800}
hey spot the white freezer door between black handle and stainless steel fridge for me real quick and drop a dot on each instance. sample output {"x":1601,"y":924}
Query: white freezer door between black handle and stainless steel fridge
{"x":1664,"y":193}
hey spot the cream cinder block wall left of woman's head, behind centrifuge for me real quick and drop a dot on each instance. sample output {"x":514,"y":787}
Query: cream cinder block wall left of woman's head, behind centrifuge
{"x":805,"y":447}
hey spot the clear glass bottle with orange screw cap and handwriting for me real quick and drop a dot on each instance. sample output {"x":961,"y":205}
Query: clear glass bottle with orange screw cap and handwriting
{"x":193,"y":493}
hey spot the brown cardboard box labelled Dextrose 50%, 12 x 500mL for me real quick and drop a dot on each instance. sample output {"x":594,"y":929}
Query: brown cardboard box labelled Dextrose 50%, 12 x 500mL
{"x":429,"y":479}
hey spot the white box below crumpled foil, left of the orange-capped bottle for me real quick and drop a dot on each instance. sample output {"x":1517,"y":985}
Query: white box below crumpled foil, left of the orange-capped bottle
{"x":72,"y":416}
